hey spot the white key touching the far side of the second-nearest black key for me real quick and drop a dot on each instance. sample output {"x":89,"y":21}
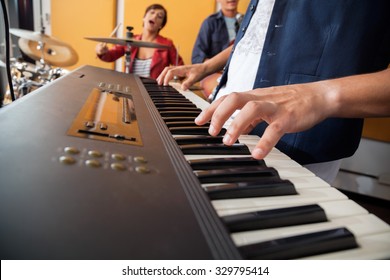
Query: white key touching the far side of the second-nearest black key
{"x":333,"y":209}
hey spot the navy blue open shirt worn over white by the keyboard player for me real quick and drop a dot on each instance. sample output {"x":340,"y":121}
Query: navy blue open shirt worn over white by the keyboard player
{"x":312,"y":40}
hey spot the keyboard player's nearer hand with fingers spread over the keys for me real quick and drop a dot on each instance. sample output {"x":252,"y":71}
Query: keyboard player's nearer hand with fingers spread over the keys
{"x":286,"y":109}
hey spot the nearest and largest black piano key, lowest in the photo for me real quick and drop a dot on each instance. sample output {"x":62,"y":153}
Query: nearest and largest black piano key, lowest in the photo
{"x":301,"y":246}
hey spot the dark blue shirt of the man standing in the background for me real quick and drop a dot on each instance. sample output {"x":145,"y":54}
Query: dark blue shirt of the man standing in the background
{"x":212,"y":38}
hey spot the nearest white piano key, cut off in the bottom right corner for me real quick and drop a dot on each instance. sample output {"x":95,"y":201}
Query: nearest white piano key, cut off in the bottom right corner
{"x":371,"y":247}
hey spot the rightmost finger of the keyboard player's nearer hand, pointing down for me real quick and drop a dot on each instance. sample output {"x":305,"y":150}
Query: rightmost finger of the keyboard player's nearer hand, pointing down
{"x":270,"y":138}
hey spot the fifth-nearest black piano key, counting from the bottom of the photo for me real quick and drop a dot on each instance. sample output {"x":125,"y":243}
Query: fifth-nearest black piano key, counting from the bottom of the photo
{"x":226,"y":162}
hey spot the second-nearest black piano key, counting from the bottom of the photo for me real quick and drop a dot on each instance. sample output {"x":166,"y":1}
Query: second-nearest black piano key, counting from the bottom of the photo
{"x":282,"y":217}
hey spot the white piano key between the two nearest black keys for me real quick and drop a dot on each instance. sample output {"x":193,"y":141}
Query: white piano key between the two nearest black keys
{"x":361,"y":225}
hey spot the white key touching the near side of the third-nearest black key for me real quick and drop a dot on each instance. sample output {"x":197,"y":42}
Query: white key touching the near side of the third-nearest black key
{"x":311,"y":195}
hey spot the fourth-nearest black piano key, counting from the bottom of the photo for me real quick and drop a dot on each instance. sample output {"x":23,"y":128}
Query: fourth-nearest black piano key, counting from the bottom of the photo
{"x":235,"y":175}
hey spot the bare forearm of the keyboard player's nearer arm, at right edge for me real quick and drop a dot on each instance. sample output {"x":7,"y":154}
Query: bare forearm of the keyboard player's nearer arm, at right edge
{"x":359,"y":96}
